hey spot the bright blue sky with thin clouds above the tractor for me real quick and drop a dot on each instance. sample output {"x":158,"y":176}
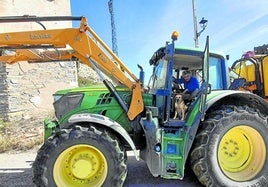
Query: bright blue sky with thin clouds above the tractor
{"x":142,"y":26}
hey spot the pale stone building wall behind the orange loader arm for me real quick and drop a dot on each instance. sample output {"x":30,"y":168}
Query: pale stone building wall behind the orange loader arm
{"x":26,"y":89}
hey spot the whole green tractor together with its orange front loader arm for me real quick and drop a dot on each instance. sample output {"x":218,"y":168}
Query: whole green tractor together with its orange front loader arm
{"x":223,"y":136}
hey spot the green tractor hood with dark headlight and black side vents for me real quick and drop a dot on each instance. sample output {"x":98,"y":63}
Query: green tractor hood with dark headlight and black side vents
{"x":93,"y":99}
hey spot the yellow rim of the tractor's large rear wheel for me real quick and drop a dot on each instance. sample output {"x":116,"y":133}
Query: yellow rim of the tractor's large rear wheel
{"x":242,"y":153}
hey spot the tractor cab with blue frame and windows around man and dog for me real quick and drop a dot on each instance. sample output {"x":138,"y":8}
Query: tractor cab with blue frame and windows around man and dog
{"x":169,"y":64}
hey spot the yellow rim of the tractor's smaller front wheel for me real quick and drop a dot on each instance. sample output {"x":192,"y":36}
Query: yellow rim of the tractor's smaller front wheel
{"x":80,"y":165}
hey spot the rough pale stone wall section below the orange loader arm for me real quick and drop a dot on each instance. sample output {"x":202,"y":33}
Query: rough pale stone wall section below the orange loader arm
{"x":30,"y":87}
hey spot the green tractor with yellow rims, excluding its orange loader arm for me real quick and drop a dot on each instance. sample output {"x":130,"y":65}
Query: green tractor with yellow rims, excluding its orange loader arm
{"x":223,"y":137}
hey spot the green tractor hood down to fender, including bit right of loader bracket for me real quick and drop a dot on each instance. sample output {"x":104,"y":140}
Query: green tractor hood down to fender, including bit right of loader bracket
{"x":96,"y":100}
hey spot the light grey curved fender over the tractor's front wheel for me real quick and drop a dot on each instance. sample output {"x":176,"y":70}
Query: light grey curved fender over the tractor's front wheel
{"x":107,"y":122}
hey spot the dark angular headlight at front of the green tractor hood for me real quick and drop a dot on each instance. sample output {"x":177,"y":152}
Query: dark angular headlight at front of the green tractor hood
{"x":65,"y":103}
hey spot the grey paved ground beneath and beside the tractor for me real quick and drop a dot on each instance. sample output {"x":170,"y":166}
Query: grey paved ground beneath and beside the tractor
{"x":15,"y":171}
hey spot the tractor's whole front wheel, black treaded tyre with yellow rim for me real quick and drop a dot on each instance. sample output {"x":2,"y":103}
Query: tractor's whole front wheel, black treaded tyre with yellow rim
{"x":96,"y":153}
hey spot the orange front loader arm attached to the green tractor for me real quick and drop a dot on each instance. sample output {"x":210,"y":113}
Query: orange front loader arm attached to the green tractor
{"x":72,"y":43}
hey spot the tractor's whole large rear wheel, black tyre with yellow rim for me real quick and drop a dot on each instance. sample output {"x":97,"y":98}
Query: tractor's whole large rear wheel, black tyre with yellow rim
{"x":230,"y":148}
